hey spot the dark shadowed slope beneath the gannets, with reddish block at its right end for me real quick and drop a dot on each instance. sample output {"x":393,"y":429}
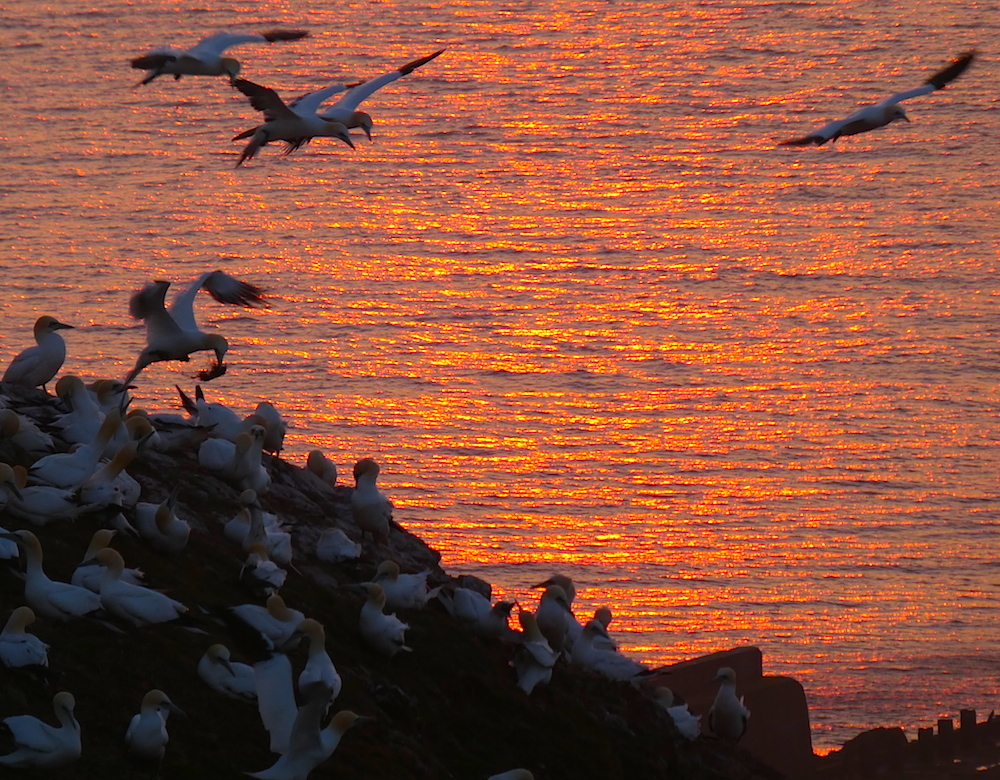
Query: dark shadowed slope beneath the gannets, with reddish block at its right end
{"x":449,"y":709}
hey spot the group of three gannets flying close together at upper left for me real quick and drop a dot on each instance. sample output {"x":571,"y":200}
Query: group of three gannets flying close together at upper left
{"x":296,"y":122}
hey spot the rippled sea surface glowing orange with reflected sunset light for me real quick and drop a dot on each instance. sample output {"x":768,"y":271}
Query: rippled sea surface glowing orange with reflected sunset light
{"x":582,"y":310}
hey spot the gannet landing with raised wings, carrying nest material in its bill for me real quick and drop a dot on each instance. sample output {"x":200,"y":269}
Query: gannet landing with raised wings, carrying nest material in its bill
{"x":174,"y":334}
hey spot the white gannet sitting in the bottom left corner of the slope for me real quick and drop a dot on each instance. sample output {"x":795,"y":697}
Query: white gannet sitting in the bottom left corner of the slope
{"x":37,"y":745}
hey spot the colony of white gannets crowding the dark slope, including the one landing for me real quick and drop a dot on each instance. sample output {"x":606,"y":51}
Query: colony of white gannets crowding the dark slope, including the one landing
{"x":67,"y":458}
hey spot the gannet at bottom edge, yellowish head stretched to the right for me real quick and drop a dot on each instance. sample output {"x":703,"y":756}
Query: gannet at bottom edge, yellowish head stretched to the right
{"x":309,"y":745}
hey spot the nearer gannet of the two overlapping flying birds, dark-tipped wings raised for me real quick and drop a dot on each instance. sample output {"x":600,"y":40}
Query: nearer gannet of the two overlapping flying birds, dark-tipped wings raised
{"x":283,"y":123}
